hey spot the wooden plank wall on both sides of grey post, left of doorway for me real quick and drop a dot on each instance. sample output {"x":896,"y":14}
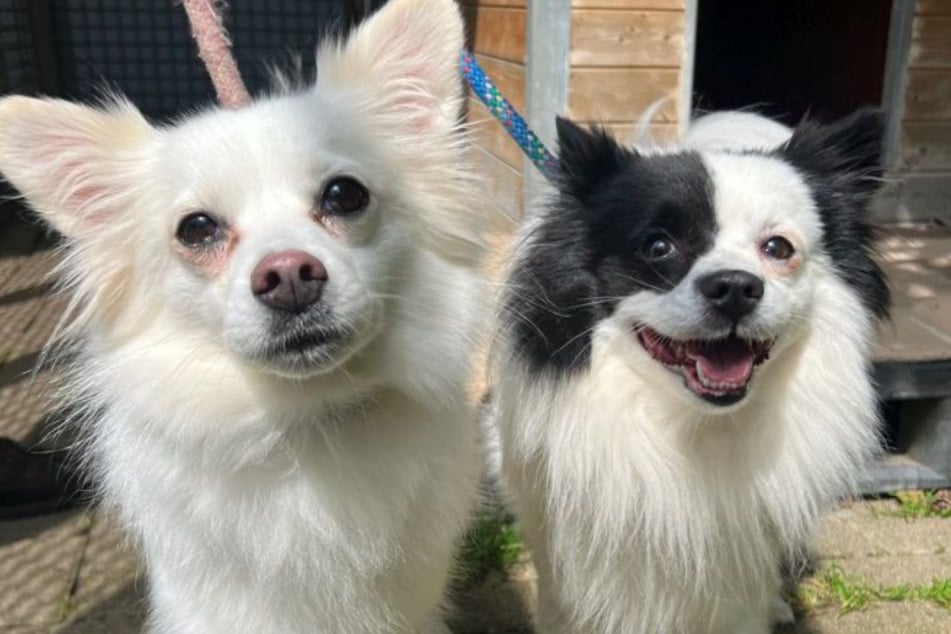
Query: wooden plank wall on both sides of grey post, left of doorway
{"x":625,"y":54}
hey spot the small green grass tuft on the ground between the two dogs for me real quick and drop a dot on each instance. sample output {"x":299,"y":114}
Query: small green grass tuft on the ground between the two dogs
{"x":493,"y":544}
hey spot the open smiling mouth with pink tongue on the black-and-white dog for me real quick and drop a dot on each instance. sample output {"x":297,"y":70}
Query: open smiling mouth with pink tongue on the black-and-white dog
{"x":718,"y":371}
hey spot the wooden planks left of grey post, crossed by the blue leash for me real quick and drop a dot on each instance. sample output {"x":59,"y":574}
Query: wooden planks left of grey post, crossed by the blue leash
{"x":496,"y":30}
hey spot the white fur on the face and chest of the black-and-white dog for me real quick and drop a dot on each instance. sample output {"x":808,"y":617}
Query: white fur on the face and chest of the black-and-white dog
{"x":649,"y":511}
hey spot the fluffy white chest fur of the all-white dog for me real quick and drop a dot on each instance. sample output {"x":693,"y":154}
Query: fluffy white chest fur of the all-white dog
{"x":296,"y":522}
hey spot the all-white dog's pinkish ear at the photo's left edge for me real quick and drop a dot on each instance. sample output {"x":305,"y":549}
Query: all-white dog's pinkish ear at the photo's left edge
{"x":71,"y":162}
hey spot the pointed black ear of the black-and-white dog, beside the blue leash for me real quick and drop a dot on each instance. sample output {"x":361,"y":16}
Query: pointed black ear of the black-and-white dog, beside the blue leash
{"x":585,"y":156}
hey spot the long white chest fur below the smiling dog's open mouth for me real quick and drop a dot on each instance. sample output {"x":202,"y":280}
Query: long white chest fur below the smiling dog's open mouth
{"x":645,"y":518}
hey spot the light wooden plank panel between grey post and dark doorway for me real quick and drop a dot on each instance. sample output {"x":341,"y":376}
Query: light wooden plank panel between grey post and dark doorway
{"x":626,"y":54}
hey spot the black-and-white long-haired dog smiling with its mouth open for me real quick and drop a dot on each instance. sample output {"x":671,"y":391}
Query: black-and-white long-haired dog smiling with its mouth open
{"x":683,"y":378}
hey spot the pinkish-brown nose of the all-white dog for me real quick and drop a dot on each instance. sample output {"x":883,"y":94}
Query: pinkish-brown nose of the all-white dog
{"x":288,"y":280}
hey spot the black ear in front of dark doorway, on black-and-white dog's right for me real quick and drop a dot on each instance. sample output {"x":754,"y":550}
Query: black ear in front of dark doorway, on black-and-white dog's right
{"x":846,"y":154}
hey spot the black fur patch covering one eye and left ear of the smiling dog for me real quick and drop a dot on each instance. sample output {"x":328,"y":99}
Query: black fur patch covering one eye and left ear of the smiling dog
{"x":589,"y":251}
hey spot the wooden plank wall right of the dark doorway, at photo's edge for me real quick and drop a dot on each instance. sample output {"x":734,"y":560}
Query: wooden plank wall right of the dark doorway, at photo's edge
{"x":925,"y":158}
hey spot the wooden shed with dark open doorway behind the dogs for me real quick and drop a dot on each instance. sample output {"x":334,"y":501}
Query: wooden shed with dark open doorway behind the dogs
{"x":605,"y":61}
